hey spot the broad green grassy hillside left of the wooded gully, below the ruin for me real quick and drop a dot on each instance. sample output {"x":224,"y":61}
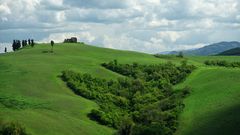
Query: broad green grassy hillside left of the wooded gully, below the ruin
{"x":32,"y":93}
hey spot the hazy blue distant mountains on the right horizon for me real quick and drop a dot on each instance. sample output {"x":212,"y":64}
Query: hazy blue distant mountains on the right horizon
{"x":212,"y":49}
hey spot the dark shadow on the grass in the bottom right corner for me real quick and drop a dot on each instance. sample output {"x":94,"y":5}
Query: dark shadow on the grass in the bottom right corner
{"x":222,"y":123}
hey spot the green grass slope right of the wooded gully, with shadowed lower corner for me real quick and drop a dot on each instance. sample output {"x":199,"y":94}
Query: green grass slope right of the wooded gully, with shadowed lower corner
{"x":213,"y":107}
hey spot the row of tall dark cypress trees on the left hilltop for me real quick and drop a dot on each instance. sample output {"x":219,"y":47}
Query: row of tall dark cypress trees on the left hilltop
{"x":17,"y":44}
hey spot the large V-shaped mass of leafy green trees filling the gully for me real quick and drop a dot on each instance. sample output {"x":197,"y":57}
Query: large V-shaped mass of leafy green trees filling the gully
{"x":141,"y":103}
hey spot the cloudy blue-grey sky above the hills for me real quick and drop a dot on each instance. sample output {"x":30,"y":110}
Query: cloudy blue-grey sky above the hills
{"x":142,"y":25}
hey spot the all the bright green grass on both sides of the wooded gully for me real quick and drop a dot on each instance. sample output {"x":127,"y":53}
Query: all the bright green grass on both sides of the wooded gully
{"x":32,"y":93}
